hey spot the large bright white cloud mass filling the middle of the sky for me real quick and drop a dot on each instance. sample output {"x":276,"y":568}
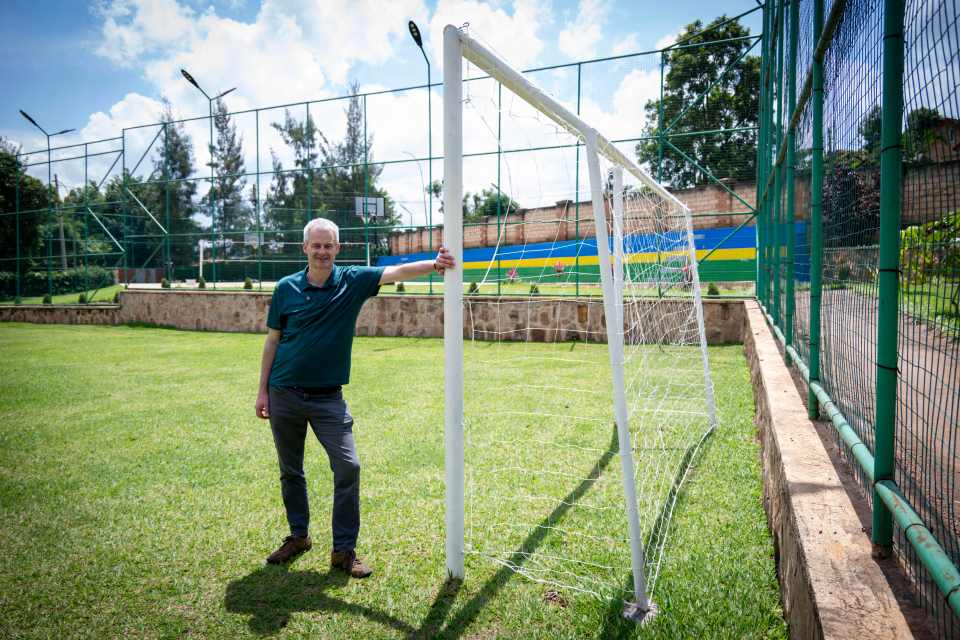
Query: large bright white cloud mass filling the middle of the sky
{"x":294,"y":51}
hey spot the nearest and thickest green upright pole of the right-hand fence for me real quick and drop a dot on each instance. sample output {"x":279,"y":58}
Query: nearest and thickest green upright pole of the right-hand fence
{"x":888,"y":314}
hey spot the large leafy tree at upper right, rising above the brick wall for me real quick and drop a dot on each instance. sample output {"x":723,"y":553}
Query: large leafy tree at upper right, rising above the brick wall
{"x":732,"y":103}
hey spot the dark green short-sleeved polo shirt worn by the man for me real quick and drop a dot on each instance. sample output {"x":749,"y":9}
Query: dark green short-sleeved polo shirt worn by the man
{"x":317,"y":325}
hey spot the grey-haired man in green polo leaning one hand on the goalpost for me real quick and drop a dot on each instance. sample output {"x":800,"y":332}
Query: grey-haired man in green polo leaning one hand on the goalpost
{"x":306,"y":361}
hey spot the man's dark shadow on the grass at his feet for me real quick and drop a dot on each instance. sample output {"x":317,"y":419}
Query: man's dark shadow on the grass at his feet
{"x":271,"y":593}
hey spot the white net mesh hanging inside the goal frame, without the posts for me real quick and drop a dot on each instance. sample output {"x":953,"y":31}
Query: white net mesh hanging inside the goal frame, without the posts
{"x":544,"y":484}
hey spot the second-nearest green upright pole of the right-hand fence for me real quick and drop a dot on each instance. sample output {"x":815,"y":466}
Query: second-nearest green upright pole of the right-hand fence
{"x":816,"y":217}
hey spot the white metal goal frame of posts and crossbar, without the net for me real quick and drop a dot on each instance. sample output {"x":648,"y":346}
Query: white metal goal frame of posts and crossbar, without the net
{"x":458,"y":46}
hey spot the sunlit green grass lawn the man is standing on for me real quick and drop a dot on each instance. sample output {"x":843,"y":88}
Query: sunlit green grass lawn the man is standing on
{"x":140,"y":495}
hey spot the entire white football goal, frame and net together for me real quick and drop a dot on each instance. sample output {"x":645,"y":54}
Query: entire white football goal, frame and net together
{"x":572,"y":420}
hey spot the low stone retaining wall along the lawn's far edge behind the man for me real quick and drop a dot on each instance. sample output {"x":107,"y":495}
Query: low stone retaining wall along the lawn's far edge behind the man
{"x":485,"y":318}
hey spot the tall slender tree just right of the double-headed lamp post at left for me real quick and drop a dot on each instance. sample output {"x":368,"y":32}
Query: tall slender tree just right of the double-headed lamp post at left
{"x":226,"y":192}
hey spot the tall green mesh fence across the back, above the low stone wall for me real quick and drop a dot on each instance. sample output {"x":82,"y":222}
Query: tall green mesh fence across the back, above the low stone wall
{"x":221,"y":199}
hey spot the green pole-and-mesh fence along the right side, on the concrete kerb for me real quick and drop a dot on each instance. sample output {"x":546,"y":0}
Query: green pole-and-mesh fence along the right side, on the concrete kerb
{"x":859,"y":255}
